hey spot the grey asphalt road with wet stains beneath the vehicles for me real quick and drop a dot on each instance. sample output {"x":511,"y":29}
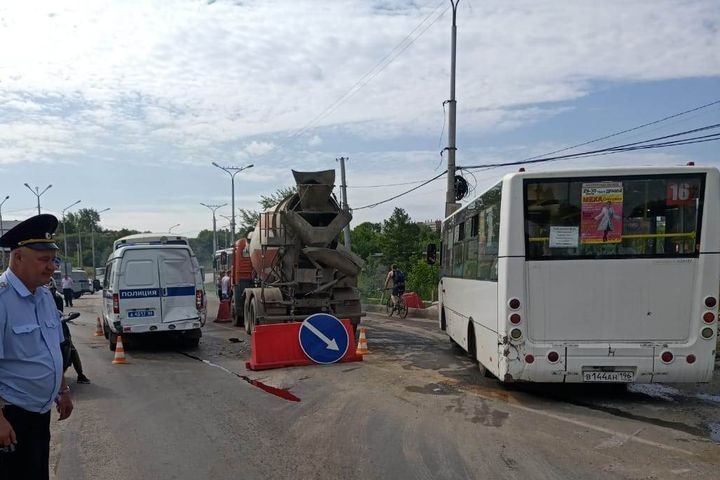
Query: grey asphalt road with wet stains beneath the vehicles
{"x":415,"y":408}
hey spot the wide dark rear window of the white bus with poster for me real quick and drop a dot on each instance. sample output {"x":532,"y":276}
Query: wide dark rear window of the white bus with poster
{"x":633,"y":216}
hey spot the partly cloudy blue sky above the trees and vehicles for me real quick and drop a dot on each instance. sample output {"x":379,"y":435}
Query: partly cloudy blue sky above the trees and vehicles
{"x":125,"y":104}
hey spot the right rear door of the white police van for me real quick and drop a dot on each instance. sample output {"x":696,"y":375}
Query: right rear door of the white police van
{"x":177,"y":285}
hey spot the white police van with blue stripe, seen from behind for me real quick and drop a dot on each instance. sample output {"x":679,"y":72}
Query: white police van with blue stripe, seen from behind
{"x":153,"y":284}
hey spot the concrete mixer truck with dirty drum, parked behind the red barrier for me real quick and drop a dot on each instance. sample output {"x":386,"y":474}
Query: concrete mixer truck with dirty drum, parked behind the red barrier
{"x":298,"y":268}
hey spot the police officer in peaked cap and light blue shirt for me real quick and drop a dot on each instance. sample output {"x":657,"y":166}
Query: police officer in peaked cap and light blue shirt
{"x":31,"y":365}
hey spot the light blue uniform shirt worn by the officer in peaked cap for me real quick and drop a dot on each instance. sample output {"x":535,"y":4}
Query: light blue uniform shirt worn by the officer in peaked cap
{"x":30,"y":335}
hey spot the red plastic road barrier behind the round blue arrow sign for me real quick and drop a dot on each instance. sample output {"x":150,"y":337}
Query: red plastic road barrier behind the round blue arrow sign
{"x":277,"y":346}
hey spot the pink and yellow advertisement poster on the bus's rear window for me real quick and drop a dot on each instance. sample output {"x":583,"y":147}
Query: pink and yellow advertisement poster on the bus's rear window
{"x":601,"y":220}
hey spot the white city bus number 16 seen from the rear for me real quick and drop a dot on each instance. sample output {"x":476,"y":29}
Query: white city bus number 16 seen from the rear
{"x":601,"y":275}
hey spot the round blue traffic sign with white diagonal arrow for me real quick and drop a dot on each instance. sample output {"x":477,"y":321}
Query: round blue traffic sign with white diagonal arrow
{"x":323,"y":338}
